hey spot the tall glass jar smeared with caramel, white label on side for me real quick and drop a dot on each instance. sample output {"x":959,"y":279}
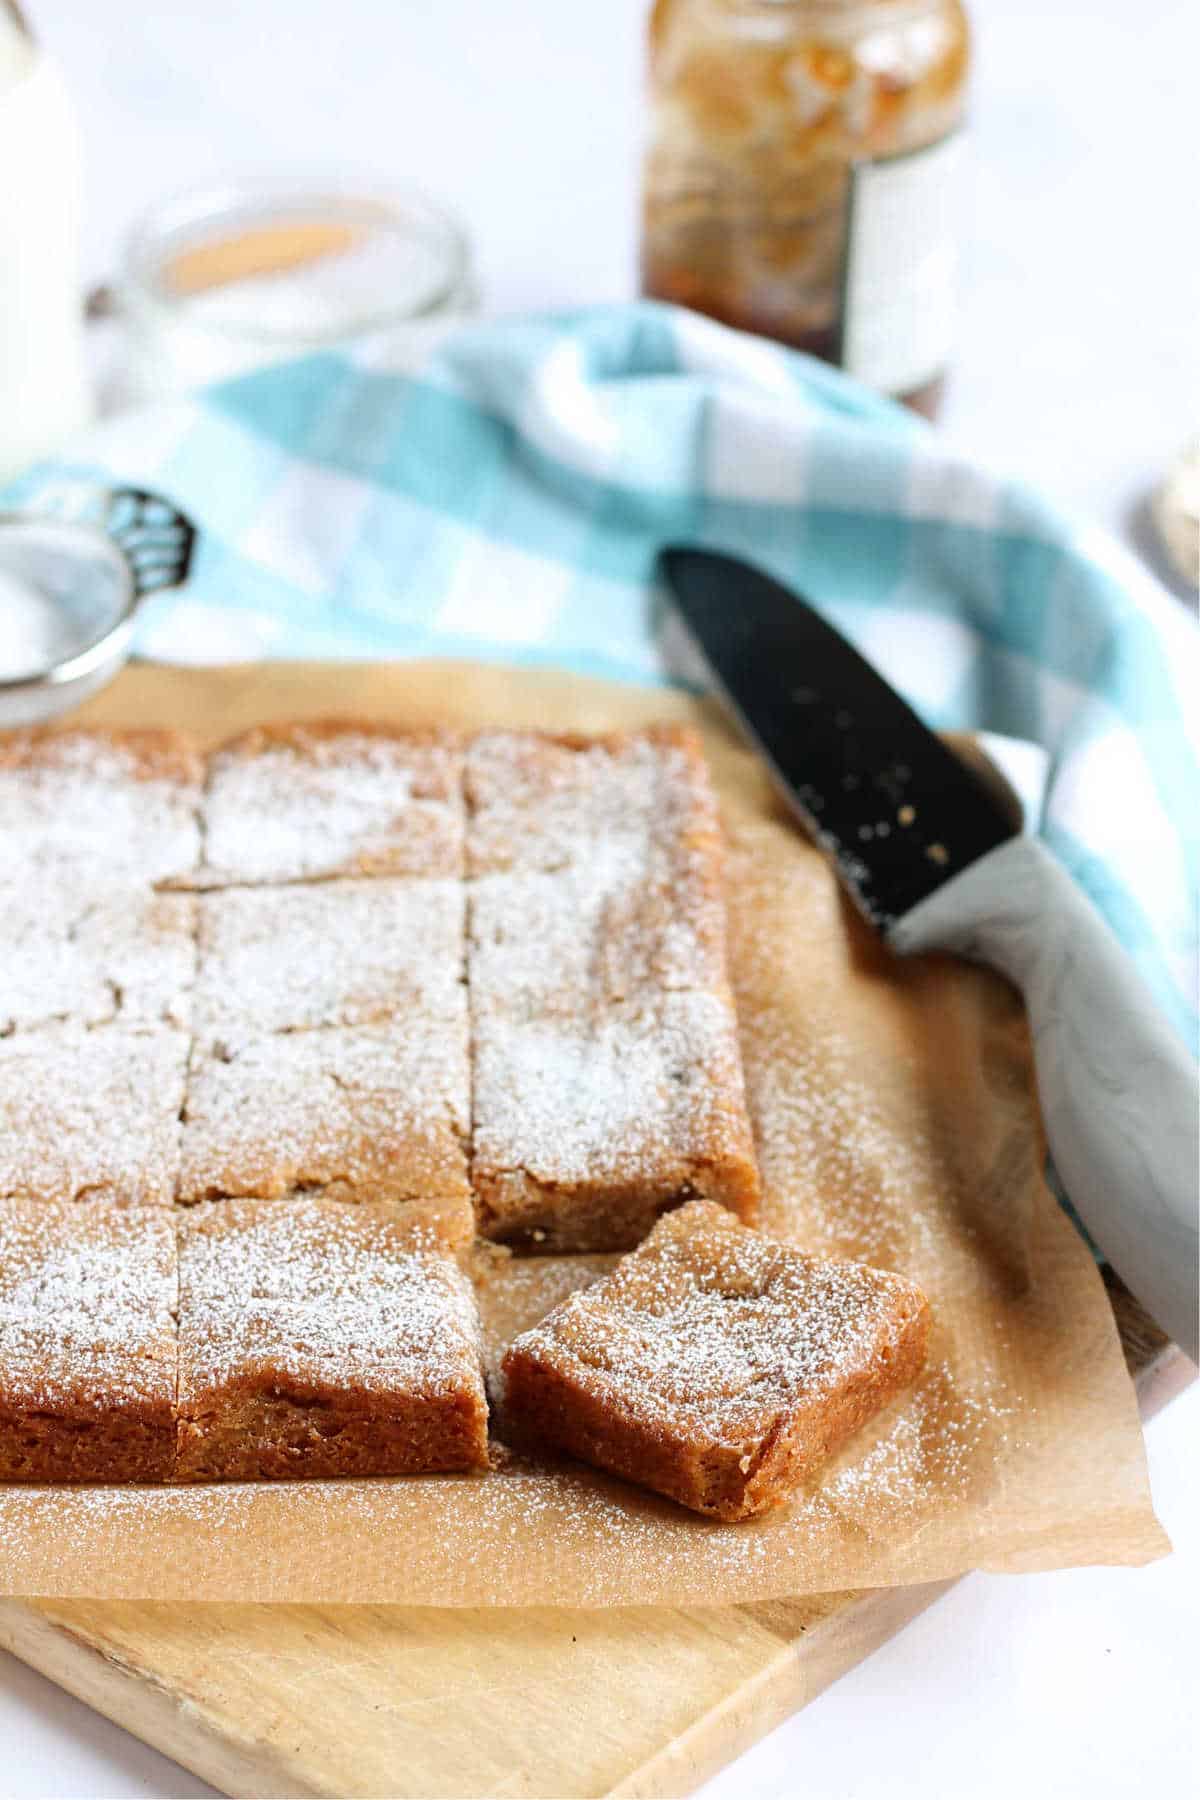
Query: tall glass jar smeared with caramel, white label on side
{"x":801,"y":175}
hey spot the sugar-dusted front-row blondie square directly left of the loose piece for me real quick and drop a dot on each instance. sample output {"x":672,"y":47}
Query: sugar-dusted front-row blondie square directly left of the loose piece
{"x":323,"y":1340}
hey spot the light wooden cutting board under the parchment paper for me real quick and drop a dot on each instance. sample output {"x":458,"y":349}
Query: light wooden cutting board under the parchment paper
{"x":425,"y":1704}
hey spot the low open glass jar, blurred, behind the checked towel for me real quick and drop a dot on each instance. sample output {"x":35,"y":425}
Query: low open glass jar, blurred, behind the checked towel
{"x":235,"y":278}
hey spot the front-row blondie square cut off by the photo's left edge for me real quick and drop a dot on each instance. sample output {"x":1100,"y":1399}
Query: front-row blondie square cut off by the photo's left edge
{"x":87,"y":1344}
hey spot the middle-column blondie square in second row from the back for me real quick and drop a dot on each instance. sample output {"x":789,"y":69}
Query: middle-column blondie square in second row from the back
{"x":341,"y":953}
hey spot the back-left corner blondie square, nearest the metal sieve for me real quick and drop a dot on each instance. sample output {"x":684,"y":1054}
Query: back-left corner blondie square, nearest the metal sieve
{"x":103,"y":805}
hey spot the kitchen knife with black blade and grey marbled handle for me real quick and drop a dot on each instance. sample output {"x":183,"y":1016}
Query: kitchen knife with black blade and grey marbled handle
{"x":935,"y":863}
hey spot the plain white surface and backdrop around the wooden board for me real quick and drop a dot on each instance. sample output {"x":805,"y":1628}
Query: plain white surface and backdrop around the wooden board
{"x":1077,"y":368}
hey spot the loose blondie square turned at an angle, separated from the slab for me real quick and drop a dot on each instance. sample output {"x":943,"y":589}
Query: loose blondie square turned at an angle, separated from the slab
{"x":715,"y":1365}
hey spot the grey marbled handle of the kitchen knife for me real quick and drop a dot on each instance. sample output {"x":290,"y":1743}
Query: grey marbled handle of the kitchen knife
{"x":1118,"y":1088}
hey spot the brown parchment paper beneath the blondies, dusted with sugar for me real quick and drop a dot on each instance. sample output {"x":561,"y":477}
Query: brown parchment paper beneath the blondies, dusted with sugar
{"x":897,"y":1122}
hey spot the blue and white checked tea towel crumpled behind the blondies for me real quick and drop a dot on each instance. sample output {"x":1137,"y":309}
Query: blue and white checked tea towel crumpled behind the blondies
{"x":506,"y":498}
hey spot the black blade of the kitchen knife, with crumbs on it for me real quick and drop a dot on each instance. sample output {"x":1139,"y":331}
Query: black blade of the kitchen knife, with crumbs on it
{"x":877,"y":789}
